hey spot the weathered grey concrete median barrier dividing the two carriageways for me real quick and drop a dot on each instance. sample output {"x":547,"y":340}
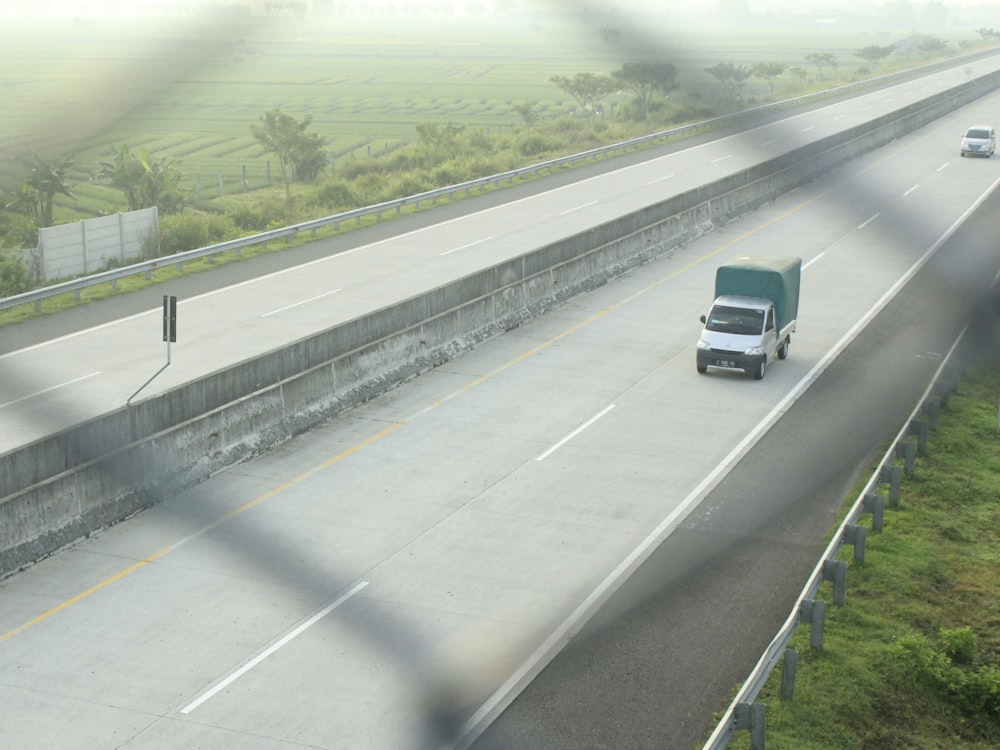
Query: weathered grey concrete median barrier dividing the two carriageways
{"x":60,"y":488}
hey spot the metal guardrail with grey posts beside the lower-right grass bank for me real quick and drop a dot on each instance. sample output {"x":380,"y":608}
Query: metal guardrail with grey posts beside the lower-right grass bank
{"x":743,"y":713}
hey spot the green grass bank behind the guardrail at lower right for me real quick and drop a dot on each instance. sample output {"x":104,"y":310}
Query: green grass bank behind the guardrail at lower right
{"x":912,"y":661}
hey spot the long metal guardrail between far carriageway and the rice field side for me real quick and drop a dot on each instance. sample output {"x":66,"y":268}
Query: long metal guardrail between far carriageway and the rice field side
{"x":147,"y":267}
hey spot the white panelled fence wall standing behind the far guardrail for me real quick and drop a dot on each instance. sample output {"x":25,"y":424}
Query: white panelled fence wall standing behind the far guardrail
{"x":88,"y":246}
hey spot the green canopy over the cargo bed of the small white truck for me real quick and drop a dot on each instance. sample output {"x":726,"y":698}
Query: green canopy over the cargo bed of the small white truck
{"x":775,"y":278}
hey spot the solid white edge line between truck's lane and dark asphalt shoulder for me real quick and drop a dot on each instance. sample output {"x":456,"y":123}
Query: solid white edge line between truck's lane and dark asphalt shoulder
{"x":502,"y":697}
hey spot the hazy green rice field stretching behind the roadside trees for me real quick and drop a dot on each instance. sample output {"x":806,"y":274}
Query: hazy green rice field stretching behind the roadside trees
{"x":190,"y":92}
